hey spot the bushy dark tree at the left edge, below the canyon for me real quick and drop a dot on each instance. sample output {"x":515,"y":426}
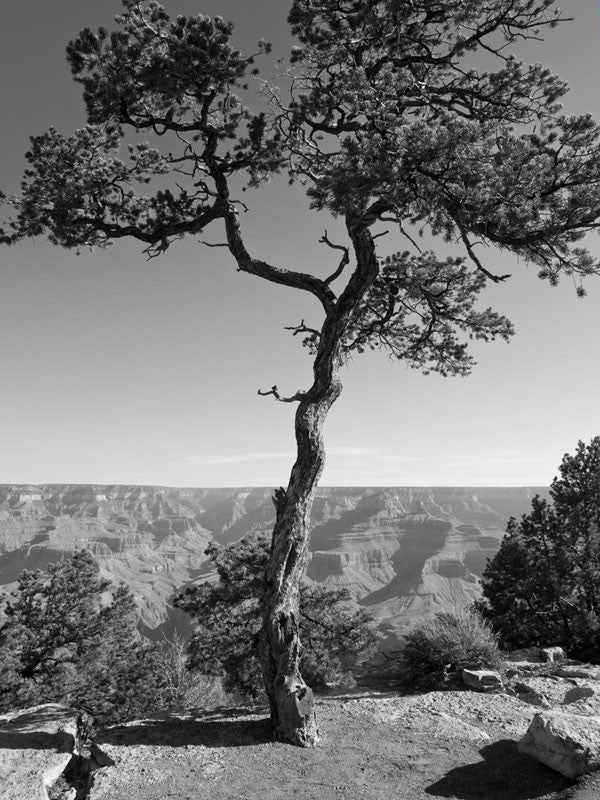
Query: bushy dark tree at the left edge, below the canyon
{"x":61,"y":643}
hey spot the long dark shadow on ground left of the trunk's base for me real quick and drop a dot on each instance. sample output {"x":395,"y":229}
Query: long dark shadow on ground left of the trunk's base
{"x":226,"y":729}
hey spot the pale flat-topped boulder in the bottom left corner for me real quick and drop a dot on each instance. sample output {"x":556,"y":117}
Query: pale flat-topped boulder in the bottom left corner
{"x":36,"y":745}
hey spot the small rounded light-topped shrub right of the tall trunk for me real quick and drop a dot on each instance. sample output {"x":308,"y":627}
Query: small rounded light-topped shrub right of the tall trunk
{"x":436,"y":649}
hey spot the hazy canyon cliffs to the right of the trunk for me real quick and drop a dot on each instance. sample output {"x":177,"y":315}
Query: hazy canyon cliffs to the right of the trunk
{"x":406,"y":553}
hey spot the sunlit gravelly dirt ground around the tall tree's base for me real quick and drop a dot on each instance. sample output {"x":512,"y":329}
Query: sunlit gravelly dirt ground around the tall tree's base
{"x":374,"y":746}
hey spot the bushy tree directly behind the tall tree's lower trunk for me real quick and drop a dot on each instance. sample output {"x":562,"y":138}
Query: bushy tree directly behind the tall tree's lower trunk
{"x":335,"y":637}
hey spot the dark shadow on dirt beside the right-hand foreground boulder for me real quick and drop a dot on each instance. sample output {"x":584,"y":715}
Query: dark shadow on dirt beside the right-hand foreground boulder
{"x":504,"y":774}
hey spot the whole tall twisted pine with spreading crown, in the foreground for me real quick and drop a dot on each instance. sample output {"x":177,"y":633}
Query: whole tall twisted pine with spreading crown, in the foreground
{"x":389,"y":123}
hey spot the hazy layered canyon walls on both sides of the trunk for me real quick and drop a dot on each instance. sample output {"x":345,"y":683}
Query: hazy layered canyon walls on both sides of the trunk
{"x":401,"y":552}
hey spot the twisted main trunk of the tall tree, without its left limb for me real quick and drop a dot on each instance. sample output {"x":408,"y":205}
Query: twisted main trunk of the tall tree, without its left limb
{"x":291,"y":700}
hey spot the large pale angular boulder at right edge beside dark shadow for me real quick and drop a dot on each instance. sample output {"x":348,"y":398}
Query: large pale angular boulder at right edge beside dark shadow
{"x":567,"y":743}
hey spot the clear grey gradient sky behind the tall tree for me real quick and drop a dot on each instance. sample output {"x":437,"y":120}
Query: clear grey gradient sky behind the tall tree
{"x":116,"y":369}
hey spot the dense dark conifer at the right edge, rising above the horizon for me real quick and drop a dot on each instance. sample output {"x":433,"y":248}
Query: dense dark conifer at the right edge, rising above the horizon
{"x":543,"y":585}
